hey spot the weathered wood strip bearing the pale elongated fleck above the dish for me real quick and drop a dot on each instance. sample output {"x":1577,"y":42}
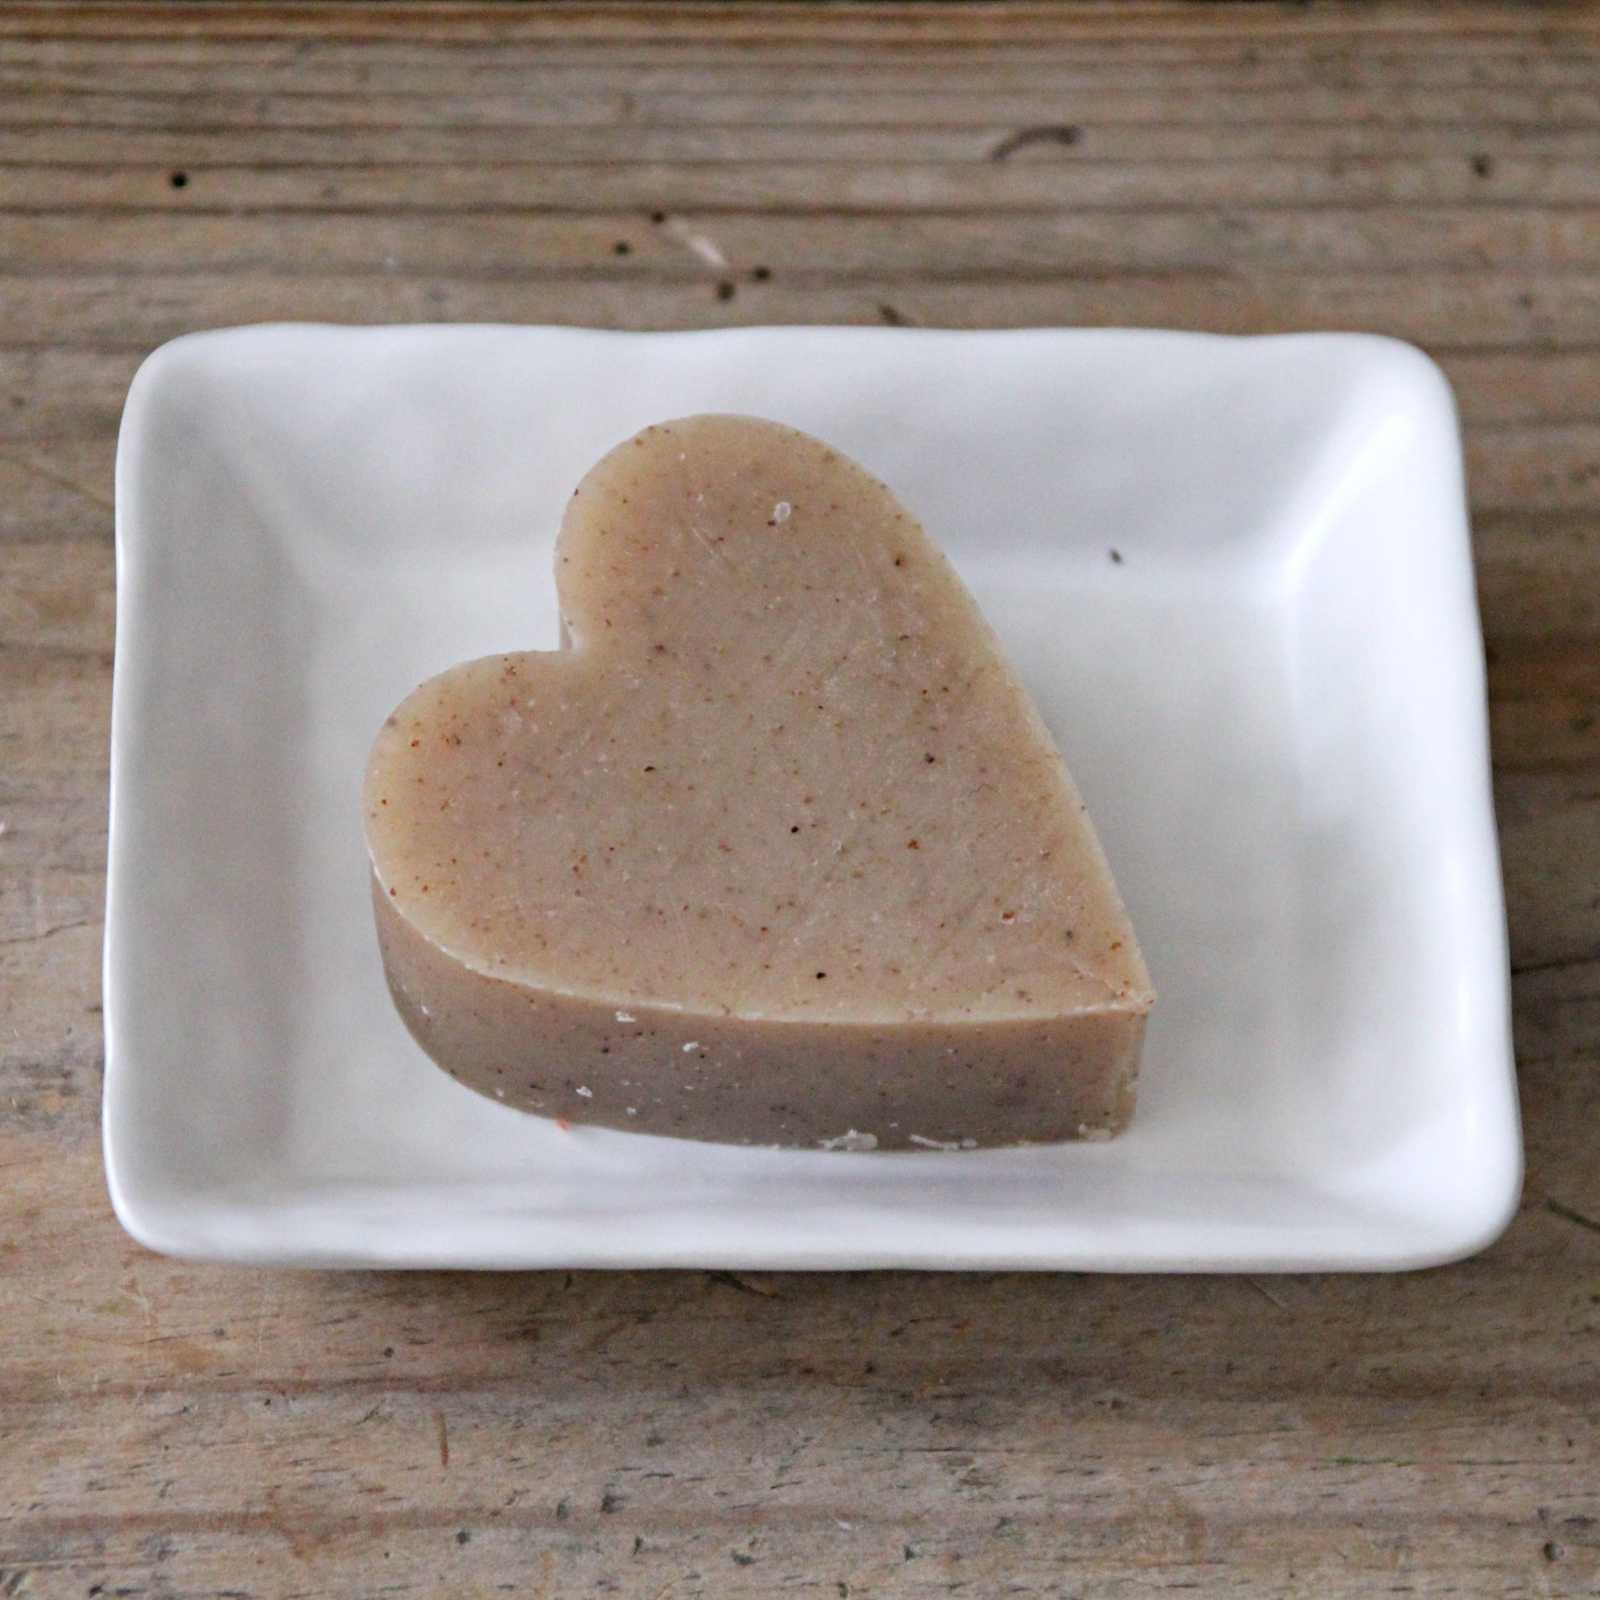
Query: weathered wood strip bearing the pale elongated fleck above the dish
{"x":1193,"y":242}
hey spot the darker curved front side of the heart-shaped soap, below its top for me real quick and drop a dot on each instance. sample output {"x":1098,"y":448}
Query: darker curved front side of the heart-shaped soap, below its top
{"x":646,"y":1070}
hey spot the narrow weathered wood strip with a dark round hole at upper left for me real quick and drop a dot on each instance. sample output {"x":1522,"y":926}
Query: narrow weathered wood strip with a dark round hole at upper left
{"x":1046,"y":177}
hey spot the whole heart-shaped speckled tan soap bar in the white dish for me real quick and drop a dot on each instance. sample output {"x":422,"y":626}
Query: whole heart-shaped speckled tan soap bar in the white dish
{"x":777,"y":850}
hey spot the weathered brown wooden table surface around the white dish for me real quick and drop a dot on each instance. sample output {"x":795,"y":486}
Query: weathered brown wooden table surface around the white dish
{"x":170,"y":1430}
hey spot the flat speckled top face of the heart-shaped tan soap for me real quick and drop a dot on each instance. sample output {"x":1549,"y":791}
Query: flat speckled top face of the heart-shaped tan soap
{"x":782,"y":772}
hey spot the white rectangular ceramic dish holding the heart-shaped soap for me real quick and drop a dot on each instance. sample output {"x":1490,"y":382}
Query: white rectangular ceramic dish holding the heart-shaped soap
{"x":1271,"y":694}
